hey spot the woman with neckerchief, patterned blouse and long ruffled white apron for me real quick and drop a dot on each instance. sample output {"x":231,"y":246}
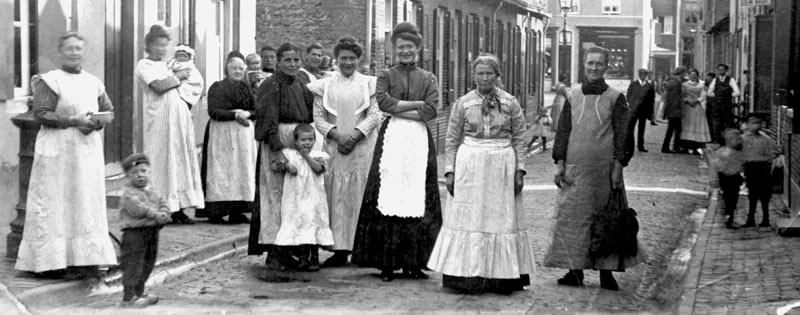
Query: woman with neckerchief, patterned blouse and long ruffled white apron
{"x":486,"y":242}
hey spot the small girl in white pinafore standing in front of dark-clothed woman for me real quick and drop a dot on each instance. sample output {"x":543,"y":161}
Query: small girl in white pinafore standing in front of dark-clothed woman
{"x":304,"y":208}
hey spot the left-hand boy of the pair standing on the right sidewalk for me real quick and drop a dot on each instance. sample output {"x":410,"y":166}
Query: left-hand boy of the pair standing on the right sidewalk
{"x":725,"y":172}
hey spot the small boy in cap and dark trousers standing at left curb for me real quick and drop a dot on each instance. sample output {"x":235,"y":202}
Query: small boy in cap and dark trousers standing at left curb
{"x":142,"y":214}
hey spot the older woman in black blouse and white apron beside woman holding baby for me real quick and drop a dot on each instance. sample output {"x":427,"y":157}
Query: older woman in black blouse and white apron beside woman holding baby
{"x":228,"y":168}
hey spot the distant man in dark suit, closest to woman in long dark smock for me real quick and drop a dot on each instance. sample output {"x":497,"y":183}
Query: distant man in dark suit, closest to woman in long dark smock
{"x":641,"y":98}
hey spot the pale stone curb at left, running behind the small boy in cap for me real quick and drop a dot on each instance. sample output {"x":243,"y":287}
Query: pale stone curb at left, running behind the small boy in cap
{"x":56,"y":294}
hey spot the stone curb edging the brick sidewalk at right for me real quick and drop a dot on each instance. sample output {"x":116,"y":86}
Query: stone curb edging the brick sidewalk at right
{"x":692,"y":281}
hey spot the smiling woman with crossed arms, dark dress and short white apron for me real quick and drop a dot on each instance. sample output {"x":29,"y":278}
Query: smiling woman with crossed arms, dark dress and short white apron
{"x":401,"y":211}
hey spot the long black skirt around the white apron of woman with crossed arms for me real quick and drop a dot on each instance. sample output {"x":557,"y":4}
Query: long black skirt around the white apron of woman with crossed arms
{"x":391,"y":242}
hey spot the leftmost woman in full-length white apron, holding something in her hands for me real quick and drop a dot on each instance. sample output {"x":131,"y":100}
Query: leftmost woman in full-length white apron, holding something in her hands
{"x":66,"y":222}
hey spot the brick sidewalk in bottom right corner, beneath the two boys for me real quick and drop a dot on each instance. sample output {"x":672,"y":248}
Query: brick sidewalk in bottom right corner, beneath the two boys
{"x":744,"y":271}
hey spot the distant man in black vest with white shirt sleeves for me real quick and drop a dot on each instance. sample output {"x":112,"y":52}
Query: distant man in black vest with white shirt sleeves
{"x":722,"y":90}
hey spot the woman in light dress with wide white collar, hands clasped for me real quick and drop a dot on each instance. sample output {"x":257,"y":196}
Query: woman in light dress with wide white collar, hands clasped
{"x":346,"y":113}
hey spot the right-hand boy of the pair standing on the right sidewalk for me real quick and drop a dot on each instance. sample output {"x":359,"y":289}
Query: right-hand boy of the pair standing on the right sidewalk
{"x":758,"y":152}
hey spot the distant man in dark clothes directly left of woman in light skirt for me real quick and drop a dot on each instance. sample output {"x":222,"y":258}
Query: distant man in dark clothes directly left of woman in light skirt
{"x":673,"y":103}
